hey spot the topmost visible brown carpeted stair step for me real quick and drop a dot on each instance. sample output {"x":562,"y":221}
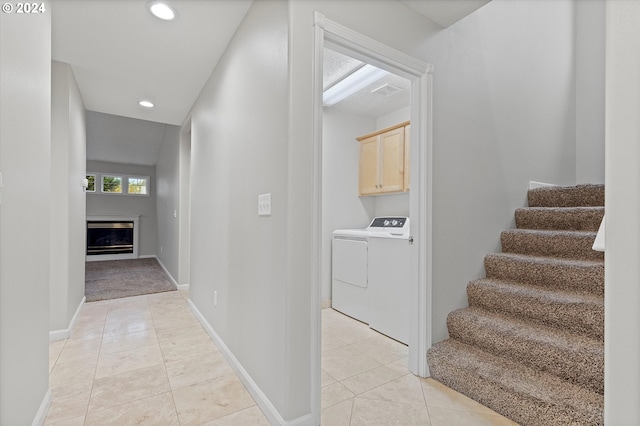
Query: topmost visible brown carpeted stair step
{"x":581,"y":195}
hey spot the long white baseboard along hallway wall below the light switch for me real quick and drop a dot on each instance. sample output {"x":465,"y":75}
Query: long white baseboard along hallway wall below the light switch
{"x":261,"y":399}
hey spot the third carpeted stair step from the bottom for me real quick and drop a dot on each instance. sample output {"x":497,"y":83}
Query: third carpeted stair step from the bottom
{"x":579,"y":317}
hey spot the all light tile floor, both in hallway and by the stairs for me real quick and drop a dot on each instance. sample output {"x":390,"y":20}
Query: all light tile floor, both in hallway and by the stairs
{"x":146,"y":360}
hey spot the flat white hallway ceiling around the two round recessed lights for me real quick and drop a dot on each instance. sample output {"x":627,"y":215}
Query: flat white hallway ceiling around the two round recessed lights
{"x":120,"y":53}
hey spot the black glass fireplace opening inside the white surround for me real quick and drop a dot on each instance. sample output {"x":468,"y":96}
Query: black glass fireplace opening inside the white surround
{"x":109,"y":237}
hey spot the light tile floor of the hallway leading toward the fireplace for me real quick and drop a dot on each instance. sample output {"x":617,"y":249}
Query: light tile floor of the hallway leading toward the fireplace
{"x":144,"y":360}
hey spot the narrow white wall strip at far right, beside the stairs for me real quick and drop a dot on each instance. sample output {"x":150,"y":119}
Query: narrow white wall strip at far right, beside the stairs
{"x":622,"y":275}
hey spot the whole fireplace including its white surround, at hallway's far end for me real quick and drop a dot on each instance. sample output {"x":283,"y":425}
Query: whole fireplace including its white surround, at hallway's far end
{"x":110,"y":238}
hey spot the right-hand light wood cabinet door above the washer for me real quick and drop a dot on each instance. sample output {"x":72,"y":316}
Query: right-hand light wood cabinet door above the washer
{"x":392,"y":160}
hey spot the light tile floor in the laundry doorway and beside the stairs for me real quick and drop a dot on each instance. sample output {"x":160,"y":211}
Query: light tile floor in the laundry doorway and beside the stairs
{"x":365,"y":381}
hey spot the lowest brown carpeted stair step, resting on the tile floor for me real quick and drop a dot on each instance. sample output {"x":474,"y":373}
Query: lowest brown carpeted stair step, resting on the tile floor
{"x":506,"y":386}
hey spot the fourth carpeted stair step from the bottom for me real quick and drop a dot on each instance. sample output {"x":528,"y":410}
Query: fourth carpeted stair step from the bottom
{"x":559,"y":276}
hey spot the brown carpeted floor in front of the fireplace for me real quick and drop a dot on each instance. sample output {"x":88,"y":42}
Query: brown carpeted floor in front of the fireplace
{"x":114,"y":279}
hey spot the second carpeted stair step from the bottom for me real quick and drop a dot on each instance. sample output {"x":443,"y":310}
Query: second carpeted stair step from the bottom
{"x":579,"y":365}
